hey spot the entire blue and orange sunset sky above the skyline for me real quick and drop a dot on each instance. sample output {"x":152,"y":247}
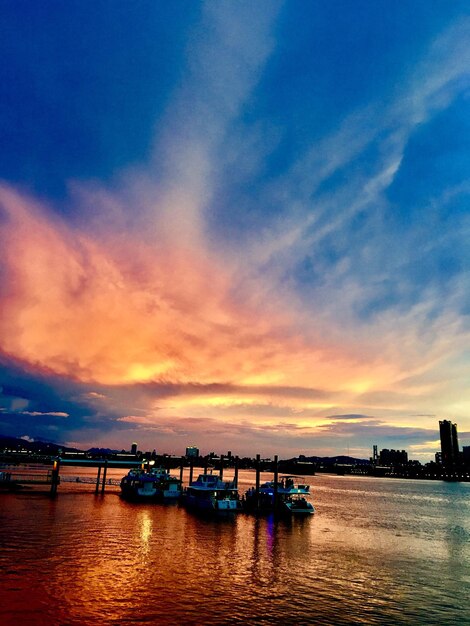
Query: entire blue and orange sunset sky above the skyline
{"x":238,"y":225}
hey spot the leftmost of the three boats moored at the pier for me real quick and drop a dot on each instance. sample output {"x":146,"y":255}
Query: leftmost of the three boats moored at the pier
{"x":147,"y":485}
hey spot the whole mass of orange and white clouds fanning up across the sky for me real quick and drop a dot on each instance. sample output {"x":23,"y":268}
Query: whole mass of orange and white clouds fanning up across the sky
{"x":139,"y":310}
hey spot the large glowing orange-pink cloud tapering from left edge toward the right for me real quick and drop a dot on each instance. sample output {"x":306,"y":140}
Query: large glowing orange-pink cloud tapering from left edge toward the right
{"x":113,"y":309}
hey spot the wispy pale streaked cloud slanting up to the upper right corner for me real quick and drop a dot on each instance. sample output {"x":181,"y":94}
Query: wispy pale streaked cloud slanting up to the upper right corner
{"x":365,"y":154}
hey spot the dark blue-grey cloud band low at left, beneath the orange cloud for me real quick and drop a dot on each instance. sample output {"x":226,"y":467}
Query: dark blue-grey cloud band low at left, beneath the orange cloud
{"x":36,"y":401}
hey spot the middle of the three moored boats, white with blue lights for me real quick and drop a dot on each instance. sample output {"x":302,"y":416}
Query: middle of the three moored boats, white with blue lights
{"x":209,"y":493}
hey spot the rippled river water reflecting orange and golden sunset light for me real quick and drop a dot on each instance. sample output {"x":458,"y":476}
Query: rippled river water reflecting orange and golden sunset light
{"x":378,"y":551}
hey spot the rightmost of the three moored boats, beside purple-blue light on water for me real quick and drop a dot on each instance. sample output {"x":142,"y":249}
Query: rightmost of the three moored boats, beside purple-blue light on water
{"x":292,"y":499}
